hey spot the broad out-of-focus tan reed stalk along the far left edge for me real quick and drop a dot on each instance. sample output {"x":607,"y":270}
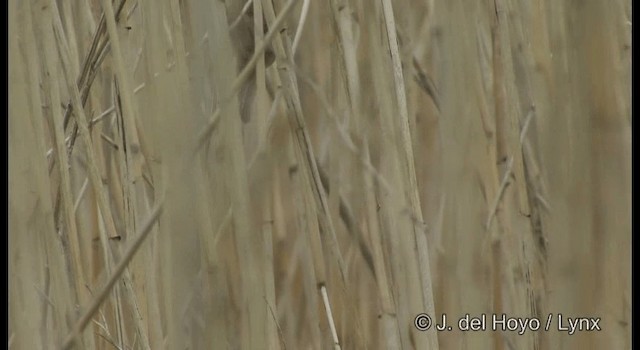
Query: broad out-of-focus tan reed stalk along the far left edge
{"x":40,"y":294}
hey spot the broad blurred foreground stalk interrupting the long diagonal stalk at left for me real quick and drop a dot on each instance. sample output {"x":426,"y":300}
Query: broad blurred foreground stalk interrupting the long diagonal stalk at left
{"x":171,"y":127}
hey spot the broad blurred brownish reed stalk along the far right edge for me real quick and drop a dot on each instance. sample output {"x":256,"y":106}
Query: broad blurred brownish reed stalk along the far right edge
{"x":609,"y":145}
